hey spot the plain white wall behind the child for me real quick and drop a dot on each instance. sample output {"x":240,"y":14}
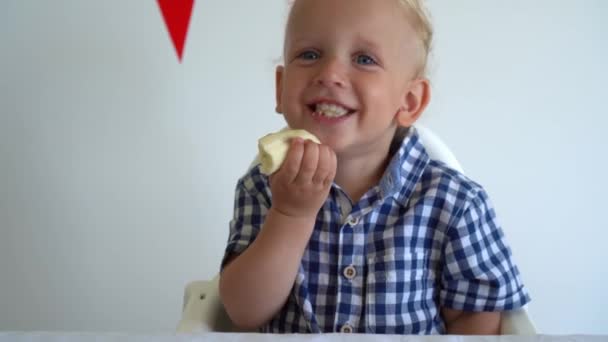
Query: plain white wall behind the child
{"x":117,"y":164}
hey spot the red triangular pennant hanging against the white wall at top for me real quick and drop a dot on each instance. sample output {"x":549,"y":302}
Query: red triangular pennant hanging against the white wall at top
{"x":176,"y":14}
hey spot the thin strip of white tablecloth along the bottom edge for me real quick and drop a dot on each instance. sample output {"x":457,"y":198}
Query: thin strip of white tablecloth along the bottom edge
{"x":117,"y":337}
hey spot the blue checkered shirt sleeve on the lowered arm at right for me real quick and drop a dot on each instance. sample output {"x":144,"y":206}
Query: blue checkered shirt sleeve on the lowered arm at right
{"x":479,"y":273}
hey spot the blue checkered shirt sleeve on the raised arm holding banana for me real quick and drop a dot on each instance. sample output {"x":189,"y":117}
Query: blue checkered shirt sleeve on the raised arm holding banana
{"x":251,"y":205}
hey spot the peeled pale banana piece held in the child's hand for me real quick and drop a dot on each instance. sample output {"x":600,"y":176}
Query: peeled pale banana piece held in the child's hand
{"x":273,"y":148}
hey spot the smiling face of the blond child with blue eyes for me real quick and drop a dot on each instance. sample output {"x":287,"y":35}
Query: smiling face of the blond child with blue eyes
{"x":359,"y":55}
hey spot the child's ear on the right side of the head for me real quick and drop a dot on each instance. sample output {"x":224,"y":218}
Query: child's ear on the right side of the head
{"x":415,"y":101}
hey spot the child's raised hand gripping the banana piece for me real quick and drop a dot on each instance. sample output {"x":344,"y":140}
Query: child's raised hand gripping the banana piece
{"x":301,"y":186}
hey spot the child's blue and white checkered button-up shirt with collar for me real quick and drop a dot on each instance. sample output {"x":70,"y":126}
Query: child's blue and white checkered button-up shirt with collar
{"x":425,"y":237}
